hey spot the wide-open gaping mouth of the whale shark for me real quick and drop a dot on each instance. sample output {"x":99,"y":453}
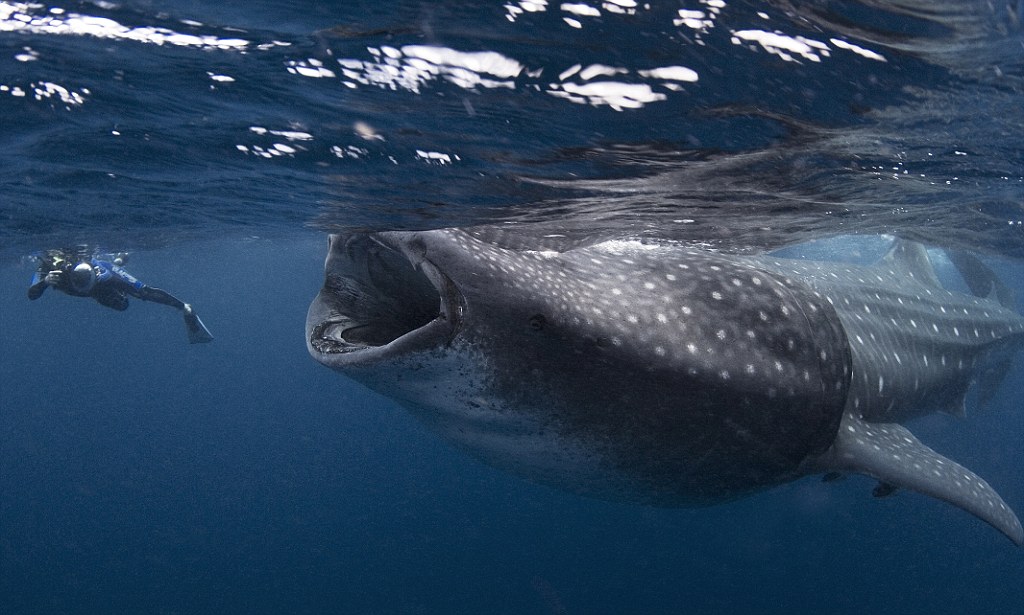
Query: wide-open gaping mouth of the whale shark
{"x":380,"y":299}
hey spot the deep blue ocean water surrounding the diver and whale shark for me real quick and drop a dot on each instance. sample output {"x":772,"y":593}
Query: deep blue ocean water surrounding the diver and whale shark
{"x":220,"y":143}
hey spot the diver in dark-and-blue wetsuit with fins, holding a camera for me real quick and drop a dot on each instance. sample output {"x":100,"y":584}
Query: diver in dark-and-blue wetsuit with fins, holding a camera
{"x":81,"y":275}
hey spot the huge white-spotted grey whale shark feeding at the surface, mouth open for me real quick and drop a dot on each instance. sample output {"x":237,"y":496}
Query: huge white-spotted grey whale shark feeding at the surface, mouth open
{"x":662,"y":374}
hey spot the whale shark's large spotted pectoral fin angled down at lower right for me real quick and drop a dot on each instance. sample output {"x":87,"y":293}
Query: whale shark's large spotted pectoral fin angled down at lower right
{"x":890,"y":454}
